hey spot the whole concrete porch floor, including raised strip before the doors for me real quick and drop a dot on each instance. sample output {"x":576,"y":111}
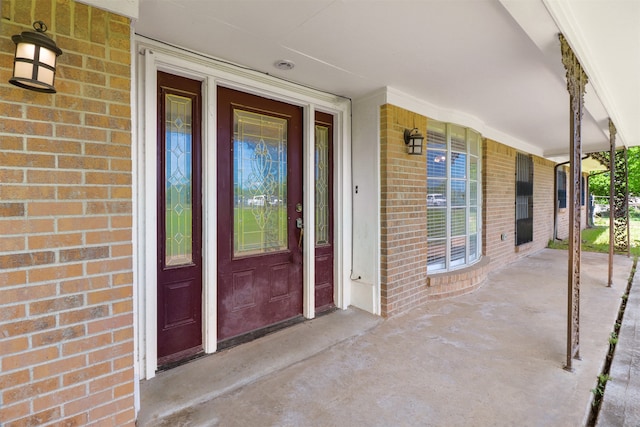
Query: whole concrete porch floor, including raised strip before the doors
{"x":493,"y":357}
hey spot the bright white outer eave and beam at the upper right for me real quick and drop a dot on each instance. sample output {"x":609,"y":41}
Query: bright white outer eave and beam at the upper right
{"x":605,"y":36}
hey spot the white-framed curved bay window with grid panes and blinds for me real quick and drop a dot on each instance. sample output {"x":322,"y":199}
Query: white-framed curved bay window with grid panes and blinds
{"x":453,"y":196}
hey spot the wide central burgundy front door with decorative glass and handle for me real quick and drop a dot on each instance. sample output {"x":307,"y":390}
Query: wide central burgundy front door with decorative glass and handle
{"x":259,"y":213}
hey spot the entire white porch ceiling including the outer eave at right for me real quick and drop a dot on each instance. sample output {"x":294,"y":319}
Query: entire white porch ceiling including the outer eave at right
{"x":498,"y":61}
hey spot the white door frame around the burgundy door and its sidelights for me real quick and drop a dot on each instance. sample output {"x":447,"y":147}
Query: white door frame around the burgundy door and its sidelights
{"x":154,"y":57}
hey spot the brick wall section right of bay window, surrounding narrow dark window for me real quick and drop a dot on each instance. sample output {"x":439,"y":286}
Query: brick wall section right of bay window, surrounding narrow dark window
{"x":498,"y":216}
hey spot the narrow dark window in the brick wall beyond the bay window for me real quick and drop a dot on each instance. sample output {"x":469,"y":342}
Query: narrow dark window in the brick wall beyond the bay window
{"x":524,"y":199}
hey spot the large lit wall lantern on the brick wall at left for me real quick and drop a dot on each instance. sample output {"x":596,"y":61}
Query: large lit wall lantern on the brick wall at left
{"x":34,"y":66}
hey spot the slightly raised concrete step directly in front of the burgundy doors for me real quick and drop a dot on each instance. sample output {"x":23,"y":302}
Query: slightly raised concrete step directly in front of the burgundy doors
{"x":211,"y":376}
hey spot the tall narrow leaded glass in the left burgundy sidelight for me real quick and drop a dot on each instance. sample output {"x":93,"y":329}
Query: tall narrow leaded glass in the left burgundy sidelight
{"x":178,"y":181}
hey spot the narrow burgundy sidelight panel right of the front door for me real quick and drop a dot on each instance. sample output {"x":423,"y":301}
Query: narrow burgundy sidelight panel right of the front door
{"x":323,"y":212}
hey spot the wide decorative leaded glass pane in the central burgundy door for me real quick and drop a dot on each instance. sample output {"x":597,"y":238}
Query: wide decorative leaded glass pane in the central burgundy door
{"x":259,"y":183}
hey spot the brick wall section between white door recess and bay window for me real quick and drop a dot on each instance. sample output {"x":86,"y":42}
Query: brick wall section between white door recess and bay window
{"x":403,"y":214}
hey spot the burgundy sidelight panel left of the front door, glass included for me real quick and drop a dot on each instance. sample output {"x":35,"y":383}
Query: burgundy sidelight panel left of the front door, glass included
{"x":179,"y":219}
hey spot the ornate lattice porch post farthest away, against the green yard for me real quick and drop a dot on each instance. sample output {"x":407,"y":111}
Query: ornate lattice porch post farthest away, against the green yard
{"x":621,"y":200}
